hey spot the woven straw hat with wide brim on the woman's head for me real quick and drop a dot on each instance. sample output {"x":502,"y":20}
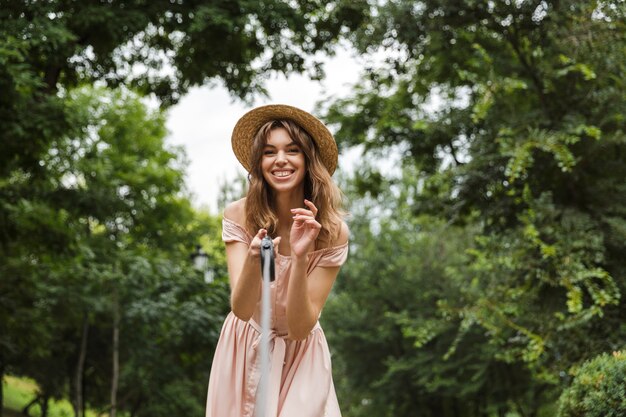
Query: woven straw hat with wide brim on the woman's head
{"x":247,"y":127}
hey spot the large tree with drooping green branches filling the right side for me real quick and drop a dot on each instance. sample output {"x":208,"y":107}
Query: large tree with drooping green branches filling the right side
{"x":510,"y":116}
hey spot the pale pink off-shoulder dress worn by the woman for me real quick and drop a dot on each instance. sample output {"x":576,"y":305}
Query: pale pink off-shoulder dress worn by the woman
{"x":300,"y":381}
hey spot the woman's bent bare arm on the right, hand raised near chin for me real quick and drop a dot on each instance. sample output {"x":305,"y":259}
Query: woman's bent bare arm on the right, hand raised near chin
{"x":307,"y":295}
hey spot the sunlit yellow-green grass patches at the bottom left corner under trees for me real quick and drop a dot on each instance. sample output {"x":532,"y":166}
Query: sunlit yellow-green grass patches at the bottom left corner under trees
{"x":20,"y":391}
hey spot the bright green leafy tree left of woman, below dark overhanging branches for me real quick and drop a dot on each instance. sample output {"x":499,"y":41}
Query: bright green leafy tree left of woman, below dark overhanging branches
{"x":103,"y":228}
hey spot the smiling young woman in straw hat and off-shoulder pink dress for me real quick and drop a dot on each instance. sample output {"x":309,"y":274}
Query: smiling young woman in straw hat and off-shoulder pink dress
{"x":290,"y":156}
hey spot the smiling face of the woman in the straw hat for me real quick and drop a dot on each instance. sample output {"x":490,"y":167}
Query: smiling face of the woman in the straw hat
{"x":283,"y":163}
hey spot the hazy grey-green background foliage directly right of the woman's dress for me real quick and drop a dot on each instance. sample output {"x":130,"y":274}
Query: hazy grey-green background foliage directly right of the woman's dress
{"x":391,"y":309}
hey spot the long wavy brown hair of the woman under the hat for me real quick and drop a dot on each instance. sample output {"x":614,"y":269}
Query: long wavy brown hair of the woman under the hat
{"x":318,"y":186}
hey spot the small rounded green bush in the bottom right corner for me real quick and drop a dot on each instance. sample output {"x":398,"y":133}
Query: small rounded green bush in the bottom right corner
{"x":598,"y":388}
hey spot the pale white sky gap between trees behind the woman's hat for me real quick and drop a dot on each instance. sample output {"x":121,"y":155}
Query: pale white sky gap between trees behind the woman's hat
{"x":203,"y":120}
